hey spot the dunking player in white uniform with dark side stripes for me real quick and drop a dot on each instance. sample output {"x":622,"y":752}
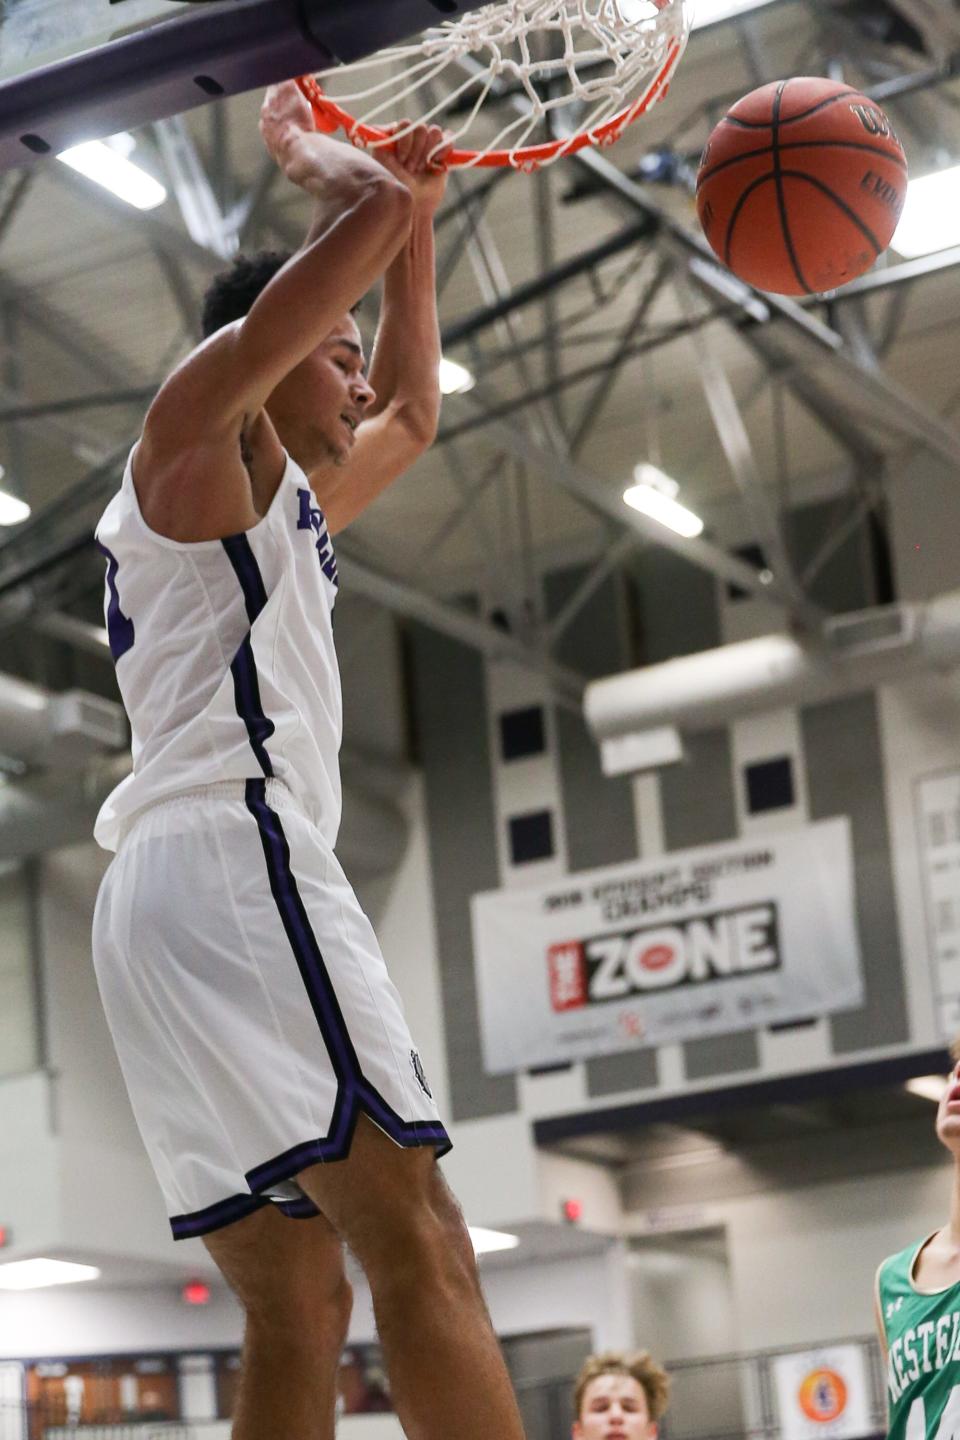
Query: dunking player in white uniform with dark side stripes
{"x":268,"y":1061}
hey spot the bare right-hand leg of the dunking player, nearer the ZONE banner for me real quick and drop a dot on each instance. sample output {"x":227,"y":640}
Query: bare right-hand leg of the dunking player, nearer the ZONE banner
{"x":401,"y":1220}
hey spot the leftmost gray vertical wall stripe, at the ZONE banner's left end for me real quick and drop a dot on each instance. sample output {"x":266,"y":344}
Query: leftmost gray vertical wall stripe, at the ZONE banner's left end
{"x":448,"y":692}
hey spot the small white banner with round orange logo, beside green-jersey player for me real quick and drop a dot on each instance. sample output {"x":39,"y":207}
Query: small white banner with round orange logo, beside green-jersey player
{"x":824,"y":1395}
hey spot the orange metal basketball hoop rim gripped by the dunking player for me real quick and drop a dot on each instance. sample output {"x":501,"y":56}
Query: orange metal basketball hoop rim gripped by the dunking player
{"x":332,"y":117}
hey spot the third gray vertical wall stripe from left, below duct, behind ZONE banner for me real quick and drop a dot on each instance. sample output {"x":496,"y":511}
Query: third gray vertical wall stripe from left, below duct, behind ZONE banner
{"x":700,"y":810}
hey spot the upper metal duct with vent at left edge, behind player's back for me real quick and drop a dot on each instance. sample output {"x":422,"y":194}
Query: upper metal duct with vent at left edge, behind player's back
{"x":55,"y":732}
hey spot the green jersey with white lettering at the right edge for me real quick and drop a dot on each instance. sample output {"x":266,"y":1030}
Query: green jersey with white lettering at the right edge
{"x":923,"y":1343}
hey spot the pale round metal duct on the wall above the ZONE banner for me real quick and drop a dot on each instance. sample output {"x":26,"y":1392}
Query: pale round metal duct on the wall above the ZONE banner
{"x":719,"y":686}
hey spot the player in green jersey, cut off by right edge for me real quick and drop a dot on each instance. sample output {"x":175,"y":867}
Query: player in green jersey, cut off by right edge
{"x":919,"y":1310}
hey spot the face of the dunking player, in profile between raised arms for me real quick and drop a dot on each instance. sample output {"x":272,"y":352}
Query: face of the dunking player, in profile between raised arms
{"x":320,"y":407}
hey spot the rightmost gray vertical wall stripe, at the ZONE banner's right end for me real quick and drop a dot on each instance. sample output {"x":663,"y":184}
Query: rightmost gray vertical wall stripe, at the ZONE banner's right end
{"x":846,"y":777}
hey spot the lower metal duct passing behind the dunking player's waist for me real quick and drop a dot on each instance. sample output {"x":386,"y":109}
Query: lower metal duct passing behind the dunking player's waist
{"x":55,"y":810}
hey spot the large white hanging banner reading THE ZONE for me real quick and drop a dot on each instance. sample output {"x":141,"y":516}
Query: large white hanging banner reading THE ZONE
{"x":694,"y":944}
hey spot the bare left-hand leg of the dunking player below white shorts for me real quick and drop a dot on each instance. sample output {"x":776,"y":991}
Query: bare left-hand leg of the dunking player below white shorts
{"x":289,"y":1275}
